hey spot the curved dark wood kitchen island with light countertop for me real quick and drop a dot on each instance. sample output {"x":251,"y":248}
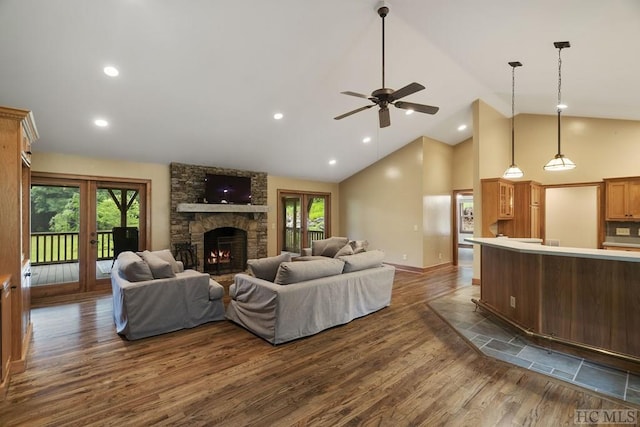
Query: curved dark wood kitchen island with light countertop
{"x":586,"y":298}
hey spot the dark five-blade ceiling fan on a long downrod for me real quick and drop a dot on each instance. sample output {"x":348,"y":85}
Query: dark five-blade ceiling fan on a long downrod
{"x":384,"y":97}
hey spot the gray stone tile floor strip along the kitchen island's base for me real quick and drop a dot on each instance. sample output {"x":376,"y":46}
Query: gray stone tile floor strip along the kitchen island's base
{"x":497,"y":339}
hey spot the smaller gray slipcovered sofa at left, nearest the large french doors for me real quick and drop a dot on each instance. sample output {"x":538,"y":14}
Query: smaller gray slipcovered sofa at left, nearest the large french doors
{"x":152,"y":295}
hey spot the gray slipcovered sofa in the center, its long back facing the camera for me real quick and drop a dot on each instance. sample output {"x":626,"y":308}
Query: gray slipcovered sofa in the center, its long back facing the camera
{"x":306,"y":297}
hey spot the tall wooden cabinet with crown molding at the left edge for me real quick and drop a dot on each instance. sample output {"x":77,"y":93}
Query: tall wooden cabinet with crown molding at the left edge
{"x":17,"y":133}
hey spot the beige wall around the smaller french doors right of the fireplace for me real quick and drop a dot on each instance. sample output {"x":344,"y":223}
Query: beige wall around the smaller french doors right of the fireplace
{"x":275,"y":183}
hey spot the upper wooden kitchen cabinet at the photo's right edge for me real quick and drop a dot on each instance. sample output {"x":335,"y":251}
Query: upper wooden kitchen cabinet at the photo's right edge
{"x":622,"y":199}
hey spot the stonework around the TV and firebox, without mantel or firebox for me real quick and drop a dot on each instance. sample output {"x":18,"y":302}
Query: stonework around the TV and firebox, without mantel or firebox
{"x":187,"y":186}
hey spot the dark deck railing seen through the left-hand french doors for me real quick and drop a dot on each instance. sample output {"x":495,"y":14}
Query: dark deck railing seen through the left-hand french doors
{"x":58,"y":248}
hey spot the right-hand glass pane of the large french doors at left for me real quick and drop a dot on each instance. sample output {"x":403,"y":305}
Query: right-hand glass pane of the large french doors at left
{"x":115,"y":207}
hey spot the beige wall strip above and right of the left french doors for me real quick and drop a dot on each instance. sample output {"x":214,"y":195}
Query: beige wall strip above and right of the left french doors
{"x":157,"y":173}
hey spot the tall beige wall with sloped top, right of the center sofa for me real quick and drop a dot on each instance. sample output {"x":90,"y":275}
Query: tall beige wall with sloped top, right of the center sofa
{"x":402,"y":204}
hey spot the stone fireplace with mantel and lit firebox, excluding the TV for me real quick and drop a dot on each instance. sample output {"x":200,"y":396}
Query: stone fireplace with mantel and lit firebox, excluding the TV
{"x":239,"y":228}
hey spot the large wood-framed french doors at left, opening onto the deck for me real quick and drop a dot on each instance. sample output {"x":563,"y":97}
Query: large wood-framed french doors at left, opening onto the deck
{"x":73,"y":217}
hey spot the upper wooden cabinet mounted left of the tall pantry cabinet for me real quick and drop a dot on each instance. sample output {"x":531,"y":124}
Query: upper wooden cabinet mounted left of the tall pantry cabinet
{"x":497,"y":205}
